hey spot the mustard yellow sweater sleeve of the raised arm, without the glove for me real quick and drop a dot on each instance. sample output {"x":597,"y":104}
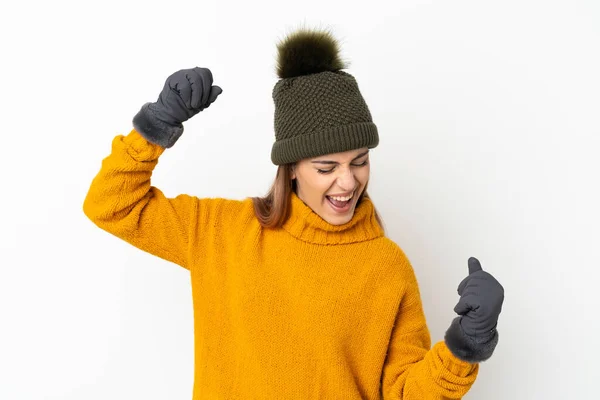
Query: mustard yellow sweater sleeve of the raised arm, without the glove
{"x":122,"y":201}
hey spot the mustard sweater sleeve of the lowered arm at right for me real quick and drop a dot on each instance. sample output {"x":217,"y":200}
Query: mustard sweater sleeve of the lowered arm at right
{"x":412,"y":370}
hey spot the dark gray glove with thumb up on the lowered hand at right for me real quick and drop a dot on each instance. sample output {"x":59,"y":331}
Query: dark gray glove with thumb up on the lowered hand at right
{"x":473,"y":336}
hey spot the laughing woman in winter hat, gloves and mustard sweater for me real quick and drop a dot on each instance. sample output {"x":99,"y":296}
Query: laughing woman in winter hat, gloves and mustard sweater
{"x":299,"y":294}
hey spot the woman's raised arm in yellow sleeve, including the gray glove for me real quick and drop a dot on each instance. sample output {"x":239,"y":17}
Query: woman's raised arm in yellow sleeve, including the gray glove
{"x":121,"y":199}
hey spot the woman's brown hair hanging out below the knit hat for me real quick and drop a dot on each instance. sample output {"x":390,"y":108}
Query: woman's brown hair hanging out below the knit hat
{"x":272,"y":209}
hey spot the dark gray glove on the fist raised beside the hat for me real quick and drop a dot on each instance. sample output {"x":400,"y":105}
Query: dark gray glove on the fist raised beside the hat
{"x":185,"y":94}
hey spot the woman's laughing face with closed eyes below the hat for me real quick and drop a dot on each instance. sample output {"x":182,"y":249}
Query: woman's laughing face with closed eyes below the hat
{"x":330,"y":185}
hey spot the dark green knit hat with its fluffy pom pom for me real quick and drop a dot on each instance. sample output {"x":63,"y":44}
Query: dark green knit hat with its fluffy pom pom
{"x":318,"y":108}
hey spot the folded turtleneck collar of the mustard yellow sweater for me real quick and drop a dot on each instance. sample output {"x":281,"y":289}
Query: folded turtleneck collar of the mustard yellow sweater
{"x":306,"y":225}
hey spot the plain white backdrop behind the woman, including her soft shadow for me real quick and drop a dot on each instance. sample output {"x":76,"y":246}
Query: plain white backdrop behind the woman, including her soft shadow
{"x":489,"y":142}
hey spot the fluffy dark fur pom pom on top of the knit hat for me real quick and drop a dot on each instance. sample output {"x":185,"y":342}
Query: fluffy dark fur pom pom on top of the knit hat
{"x":308,"y":51}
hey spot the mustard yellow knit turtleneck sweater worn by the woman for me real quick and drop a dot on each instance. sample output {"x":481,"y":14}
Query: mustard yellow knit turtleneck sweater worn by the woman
{"x":308,"y":311}
